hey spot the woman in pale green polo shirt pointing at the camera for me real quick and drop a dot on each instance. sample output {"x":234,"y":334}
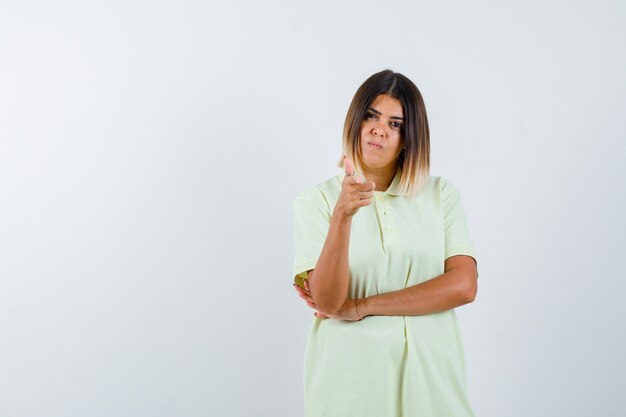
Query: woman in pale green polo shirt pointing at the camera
{"x":383,"y":254}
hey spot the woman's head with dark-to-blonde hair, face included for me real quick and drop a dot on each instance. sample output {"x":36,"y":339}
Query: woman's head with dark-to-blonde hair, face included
{"x":387,"y":122}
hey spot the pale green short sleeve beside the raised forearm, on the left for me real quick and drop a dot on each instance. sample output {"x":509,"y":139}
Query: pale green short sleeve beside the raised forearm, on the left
{"x":311,"y":222}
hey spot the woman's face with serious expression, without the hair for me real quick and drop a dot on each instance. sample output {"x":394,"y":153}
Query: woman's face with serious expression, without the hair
{"x":380,"y":138}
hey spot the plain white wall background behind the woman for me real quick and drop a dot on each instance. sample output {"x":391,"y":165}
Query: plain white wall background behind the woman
{"x":150,"y":152}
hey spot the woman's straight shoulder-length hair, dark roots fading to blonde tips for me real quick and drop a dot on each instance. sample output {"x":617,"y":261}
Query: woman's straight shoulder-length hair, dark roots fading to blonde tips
{"x":414,"y":160}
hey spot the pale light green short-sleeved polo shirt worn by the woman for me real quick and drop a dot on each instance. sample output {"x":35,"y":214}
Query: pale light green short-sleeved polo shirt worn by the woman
{"x":386,"y":366}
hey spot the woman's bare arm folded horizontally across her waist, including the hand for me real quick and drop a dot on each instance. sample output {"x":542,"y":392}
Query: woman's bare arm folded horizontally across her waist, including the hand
{"x":455,"y":287}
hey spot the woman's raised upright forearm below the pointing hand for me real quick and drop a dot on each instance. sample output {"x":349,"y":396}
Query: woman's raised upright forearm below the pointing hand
{"x":329,"y":281}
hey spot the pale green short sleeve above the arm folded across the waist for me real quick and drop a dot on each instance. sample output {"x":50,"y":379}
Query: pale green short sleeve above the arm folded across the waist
{"x":457,"y":236}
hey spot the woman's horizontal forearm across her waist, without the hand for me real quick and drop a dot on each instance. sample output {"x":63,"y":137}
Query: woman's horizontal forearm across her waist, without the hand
{"x":449,"y":290}
